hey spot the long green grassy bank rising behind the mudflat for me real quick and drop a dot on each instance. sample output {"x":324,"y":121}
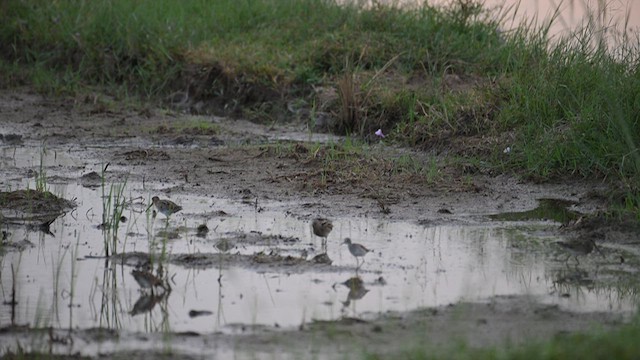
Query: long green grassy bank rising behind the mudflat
{"x":440,"y":78}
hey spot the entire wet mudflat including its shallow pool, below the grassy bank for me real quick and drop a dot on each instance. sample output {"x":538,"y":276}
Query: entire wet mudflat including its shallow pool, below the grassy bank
{"x":458,"y":256}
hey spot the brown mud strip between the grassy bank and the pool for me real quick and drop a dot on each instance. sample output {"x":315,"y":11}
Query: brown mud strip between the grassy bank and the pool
{"x":232,"y":164}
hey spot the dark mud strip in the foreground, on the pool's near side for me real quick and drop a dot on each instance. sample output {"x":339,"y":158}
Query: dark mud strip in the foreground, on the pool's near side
{"x":498,"y":321}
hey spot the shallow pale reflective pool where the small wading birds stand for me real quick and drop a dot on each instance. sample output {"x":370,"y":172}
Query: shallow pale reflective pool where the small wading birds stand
{"x":62,"y":278}
